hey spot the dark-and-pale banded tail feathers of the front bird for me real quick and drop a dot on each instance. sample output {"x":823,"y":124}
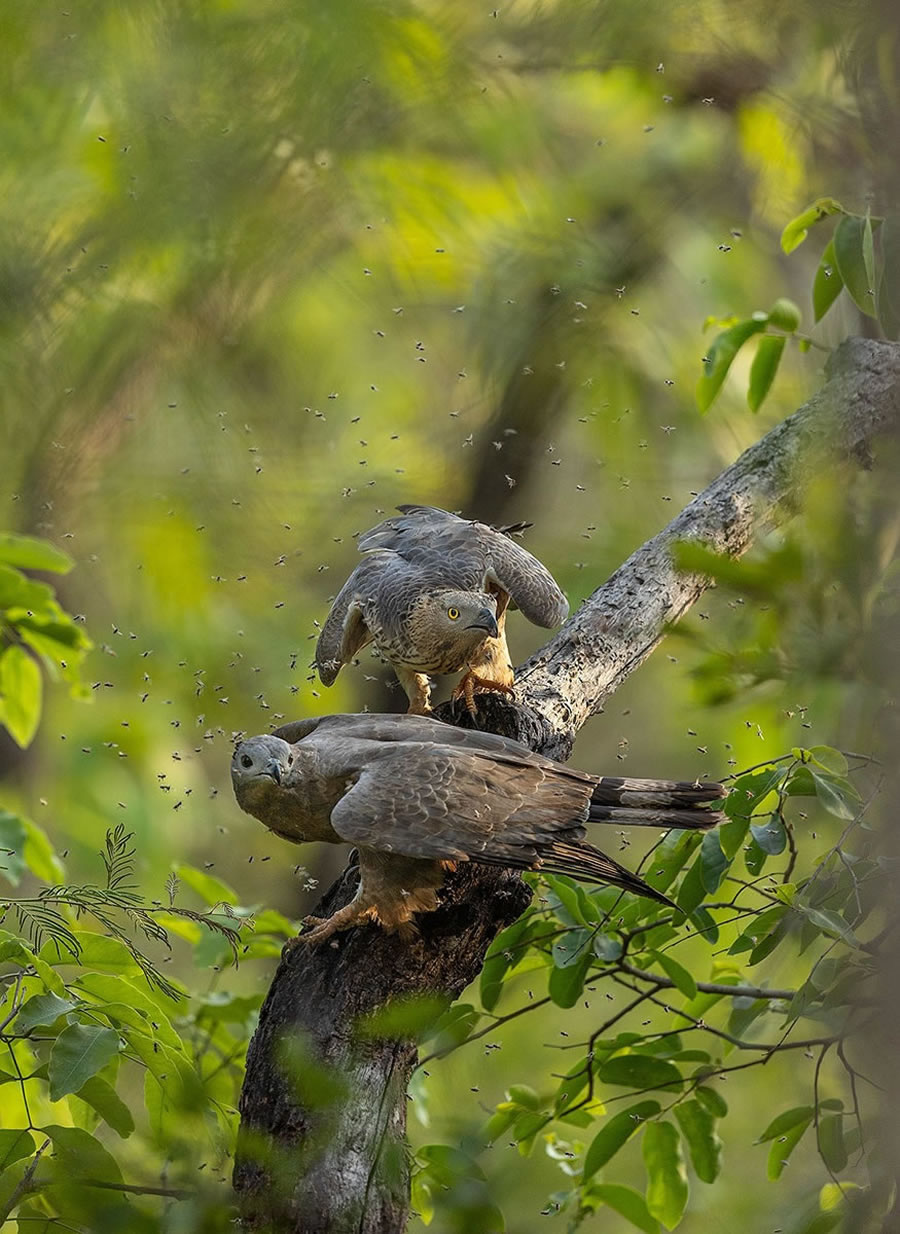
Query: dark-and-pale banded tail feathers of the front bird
{"x":657,"y":803}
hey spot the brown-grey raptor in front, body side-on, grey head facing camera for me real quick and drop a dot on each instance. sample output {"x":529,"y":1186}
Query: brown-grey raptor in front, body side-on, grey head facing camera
{"x":417,"y":797}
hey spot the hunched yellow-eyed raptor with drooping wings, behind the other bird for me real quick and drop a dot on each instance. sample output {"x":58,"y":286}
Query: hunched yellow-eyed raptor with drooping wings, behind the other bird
{"x":431,"y":594}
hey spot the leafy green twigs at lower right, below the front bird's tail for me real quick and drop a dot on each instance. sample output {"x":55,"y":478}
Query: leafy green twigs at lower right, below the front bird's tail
{"x":649,"y":1074}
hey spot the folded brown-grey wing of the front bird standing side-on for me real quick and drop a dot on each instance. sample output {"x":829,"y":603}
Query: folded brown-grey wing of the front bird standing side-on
{"x":446,"y":805}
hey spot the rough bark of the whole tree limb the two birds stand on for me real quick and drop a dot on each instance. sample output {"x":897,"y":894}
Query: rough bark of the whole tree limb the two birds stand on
{"x":324,"y":1106}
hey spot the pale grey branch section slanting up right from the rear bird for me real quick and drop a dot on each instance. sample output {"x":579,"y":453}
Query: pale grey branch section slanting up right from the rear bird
{"x":619,"y":626}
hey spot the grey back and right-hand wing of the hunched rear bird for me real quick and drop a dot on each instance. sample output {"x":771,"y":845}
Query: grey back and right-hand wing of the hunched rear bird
{"x":471,"y":556}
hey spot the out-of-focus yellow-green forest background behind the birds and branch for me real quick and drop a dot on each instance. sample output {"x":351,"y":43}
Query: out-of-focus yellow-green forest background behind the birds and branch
{"x":269,"y":270}
